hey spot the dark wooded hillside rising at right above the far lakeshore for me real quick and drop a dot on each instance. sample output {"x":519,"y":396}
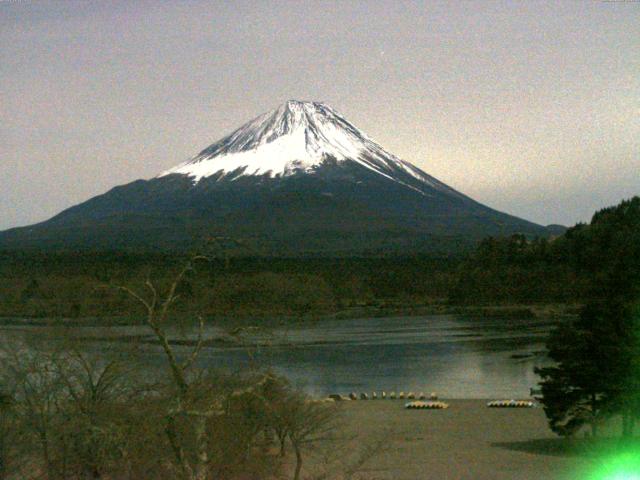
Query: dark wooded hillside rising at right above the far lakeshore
{"x":570,"y":268}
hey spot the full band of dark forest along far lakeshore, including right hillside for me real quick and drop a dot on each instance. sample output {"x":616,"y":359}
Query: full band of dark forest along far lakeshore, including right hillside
{"x":501,"y":271}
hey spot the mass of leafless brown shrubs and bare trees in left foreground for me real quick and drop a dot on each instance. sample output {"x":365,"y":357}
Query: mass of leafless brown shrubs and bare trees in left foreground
{"x":68,"y":413}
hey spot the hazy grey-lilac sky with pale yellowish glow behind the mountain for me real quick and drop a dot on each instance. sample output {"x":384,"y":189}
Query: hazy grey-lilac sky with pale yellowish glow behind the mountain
{"x":532,"y":108}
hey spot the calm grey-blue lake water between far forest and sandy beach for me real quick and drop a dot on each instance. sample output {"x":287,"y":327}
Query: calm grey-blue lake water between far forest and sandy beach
{"x":456,"y":357}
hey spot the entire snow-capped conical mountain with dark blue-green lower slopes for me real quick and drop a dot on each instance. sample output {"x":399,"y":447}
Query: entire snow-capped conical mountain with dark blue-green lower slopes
{"x":299,"y":180}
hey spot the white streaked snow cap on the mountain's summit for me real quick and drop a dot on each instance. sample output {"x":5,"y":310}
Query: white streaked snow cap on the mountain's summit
{"x":296,"y":137}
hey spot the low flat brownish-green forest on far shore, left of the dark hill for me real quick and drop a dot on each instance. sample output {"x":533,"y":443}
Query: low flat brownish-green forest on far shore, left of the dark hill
{"x":83,"y":284}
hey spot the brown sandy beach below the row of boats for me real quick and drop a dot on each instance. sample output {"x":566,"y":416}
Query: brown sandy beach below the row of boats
{"x":466,"y":441}
